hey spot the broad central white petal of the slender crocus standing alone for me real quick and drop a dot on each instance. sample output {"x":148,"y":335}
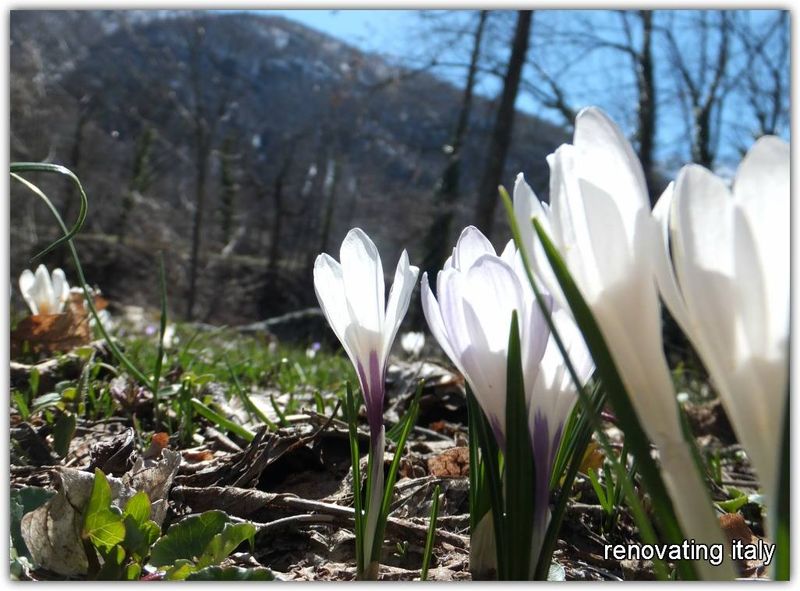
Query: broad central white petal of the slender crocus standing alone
{"x":363,"y":280}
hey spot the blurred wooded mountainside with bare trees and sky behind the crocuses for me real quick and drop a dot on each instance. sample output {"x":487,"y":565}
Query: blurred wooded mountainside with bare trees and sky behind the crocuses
{"x":242,"y":144}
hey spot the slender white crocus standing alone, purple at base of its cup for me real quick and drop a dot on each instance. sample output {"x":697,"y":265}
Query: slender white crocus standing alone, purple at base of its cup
{"x":351,"y":295}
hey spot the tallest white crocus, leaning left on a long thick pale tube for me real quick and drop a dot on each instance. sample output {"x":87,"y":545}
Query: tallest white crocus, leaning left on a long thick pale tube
{"x":600,"y":220}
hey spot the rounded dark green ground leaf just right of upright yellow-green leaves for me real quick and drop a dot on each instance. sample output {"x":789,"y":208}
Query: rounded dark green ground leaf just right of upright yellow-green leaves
{"x":188,"y":539}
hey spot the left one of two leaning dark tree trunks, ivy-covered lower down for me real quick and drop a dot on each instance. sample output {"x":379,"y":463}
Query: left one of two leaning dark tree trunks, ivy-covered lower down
{"x":447,"y":192}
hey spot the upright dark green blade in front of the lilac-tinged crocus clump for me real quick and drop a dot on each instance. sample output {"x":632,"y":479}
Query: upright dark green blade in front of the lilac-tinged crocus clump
{"x":519,"y":462}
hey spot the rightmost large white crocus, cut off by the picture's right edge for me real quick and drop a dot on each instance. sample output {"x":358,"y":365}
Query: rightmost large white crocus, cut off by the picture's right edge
{"x":728,"y":288}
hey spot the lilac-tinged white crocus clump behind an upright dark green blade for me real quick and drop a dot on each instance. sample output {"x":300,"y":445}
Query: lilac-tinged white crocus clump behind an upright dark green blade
{"x":477,"y":293}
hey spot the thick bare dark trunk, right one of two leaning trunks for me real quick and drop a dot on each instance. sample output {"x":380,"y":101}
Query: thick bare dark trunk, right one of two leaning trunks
{"x":504,"y":122}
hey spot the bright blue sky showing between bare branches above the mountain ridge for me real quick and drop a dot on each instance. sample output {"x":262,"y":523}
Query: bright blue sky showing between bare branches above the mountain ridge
{"x":603,"y":78}
